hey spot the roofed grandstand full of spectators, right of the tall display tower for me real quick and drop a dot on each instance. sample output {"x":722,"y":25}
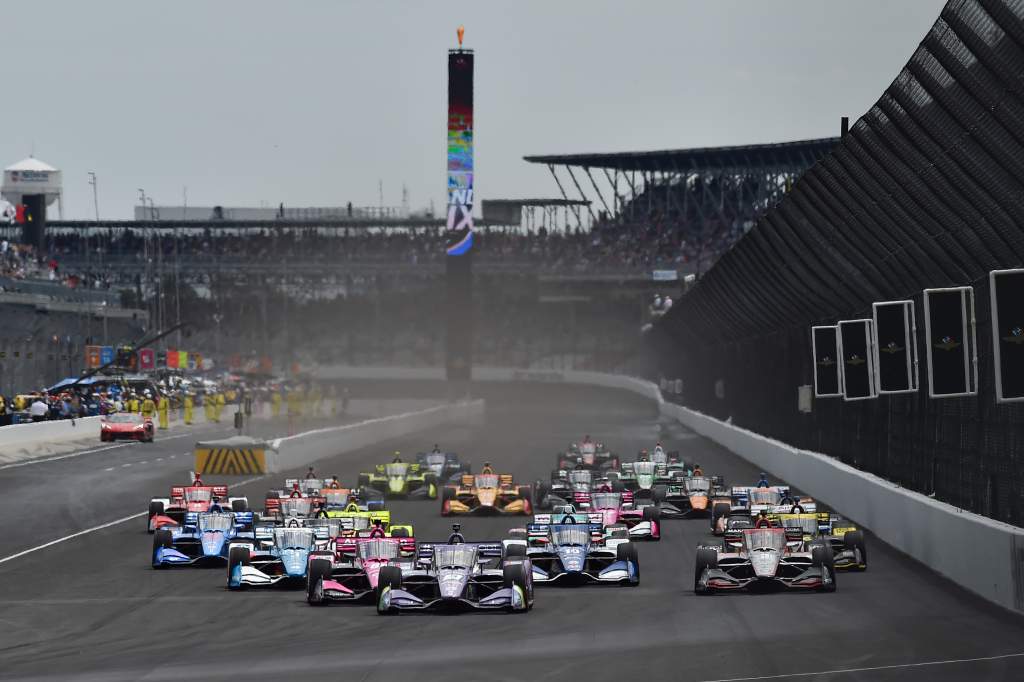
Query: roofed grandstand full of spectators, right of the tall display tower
{"x":686,"y":206}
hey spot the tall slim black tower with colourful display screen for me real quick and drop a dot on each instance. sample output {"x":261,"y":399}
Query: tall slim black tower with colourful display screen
{"x":459,"y":243}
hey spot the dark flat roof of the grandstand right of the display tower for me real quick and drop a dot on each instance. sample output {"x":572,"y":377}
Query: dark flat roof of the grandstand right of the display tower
{"x":801,"y":153}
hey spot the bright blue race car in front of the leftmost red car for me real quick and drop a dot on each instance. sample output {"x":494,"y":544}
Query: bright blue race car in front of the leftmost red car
{"x":204,"y":543}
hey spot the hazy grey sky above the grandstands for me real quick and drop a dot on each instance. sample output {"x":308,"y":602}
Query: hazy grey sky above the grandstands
{"x":313,"y":103}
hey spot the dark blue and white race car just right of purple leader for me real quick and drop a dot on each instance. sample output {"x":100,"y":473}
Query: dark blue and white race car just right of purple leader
{"x":572,"y":558}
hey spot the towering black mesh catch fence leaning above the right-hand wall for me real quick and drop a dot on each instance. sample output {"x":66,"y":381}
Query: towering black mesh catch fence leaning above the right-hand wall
{"x":924,"y":192}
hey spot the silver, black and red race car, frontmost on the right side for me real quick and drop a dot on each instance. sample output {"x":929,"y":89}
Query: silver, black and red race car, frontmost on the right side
{"x":764,"y":559}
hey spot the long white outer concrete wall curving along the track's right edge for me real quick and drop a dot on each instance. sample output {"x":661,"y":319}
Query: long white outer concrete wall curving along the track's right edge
{"x":977,"y":553}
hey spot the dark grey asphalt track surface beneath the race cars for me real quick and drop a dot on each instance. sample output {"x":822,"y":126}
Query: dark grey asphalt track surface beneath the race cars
{"x":93,"y":609}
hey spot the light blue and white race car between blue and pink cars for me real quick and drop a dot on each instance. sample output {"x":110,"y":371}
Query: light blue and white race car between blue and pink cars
{"x":280,"y":557}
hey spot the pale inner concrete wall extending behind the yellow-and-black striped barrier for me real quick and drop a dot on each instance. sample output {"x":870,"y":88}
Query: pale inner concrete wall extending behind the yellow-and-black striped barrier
{"x":306,"y":448}
